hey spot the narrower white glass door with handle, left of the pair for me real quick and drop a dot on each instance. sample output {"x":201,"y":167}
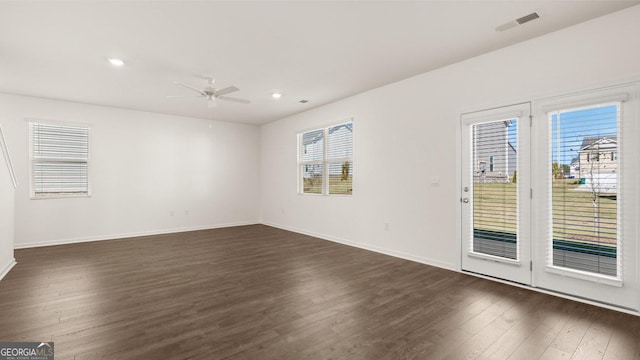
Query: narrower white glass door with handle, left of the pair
{"x":496,"y":193}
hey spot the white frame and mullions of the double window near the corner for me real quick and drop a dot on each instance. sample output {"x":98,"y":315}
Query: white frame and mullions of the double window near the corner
{"x":325,"y":191}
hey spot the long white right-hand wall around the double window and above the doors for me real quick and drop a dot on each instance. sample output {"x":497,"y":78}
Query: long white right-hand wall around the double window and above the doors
{"x":406,"y":134}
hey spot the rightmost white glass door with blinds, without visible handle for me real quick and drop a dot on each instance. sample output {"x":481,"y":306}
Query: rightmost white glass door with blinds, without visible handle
{"x":587,"y":171}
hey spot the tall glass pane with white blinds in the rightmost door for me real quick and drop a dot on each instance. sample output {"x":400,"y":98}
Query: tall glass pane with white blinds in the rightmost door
{"x":585,"y":191}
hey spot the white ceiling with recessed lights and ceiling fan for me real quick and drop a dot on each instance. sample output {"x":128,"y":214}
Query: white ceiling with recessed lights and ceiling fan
{"x":316,"y":50}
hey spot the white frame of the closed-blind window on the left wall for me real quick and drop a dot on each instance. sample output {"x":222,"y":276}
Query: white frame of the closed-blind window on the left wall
{"x":33,"y":194}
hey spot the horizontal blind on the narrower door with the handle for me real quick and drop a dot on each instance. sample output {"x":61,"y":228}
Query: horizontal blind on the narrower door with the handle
{"x":495,"y":201}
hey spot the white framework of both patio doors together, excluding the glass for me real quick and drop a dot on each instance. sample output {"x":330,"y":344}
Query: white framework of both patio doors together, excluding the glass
{"x":622,"y":293}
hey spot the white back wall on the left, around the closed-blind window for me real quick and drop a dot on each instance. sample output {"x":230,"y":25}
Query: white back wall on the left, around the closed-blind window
{"x":143,"y":167}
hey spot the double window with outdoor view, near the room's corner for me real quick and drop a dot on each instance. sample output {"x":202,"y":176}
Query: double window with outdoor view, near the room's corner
{"x":325,"y":160}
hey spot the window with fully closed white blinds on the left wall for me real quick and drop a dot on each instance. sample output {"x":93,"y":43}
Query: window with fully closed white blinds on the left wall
{"x":59,"y":160}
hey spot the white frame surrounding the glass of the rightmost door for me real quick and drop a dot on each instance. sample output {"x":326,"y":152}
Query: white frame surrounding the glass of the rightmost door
{"x":622,"y":291}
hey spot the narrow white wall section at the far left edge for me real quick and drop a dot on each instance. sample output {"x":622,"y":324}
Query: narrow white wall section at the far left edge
{"x":6,"y":215}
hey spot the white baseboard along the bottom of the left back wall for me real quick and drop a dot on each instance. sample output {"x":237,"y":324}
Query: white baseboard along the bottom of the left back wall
{"x":131,"y":234}
